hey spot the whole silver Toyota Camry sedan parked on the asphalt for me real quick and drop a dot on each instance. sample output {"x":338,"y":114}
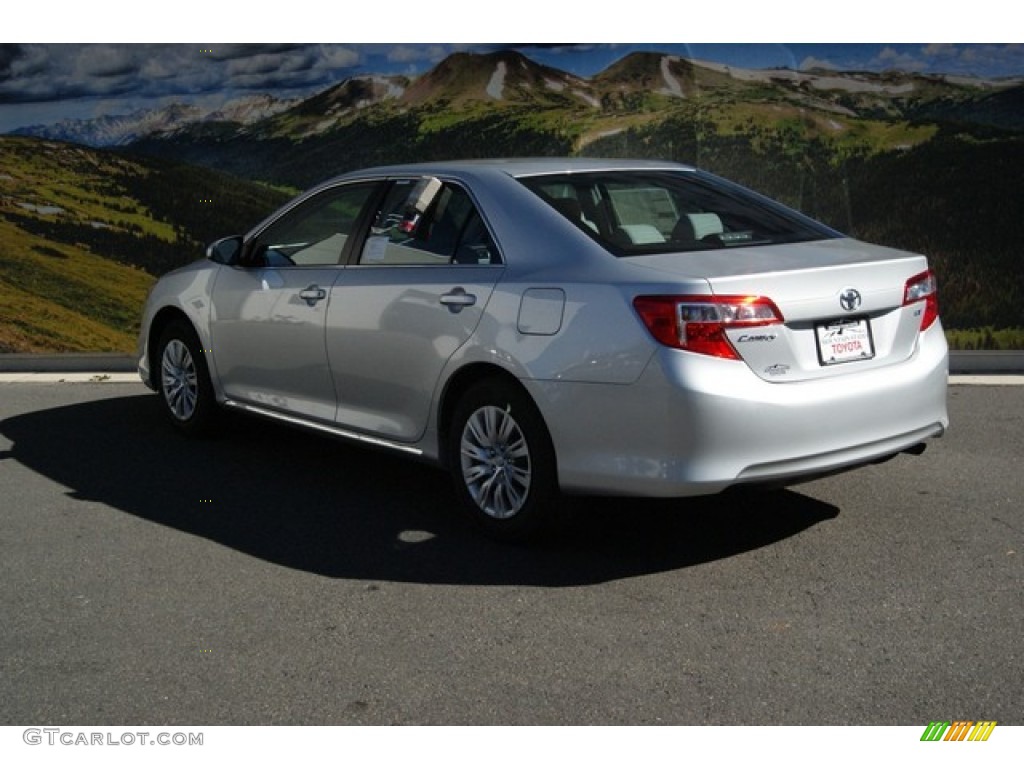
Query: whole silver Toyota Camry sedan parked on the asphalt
{"x":559,"y":326}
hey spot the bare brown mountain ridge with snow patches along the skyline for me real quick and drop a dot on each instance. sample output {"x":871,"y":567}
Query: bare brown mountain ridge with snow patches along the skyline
{"x":641,"y":80}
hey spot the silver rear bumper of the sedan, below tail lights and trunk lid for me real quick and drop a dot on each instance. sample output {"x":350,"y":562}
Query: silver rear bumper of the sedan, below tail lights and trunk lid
{"x":696,"y":425}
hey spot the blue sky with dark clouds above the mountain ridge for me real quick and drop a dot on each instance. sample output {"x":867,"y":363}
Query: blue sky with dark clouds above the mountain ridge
{"x":47,"y":82}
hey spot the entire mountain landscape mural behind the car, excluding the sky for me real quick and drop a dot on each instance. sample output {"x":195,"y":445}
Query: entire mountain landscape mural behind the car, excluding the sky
{"x":92,"y":211}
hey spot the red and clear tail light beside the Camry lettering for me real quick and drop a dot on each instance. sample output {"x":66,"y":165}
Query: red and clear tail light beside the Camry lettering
{"x":698,"y":324}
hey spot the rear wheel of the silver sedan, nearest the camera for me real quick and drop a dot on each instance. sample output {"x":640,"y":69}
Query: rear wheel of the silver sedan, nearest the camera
{"x":503,"y":462}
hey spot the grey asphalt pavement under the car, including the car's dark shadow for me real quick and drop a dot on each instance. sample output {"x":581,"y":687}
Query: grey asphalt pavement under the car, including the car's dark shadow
{"x":272,"y":577}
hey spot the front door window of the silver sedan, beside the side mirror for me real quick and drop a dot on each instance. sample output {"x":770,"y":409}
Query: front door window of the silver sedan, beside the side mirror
{"x":316,"y":232}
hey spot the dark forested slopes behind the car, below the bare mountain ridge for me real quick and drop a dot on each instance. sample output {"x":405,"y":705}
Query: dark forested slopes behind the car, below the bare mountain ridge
{"x":952,"y":191}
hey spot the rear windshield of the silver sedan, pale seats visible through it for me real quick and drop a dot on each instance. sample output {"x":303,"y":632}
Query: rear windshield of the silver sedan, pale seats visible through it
{"x":642,"y":212}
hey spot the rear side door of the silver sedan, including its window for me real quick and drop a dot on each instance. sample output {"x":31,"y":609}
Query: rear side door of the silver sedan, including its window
{"x":414,"y":295}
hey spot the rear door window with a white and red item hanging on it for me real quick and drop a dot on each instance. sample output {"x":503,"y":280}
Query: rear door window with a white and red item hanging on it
{"x":426,"y":222}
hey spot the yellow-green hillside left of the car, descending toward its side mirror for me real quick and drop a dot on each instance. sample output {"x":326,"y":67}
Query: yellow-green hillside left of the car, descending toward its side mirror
{"x":83,"y":234}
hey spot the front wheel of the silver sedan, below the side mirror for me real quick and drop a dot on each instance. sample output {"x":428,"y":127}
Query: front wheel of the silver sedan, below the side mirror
{"x":184,"y":381}
